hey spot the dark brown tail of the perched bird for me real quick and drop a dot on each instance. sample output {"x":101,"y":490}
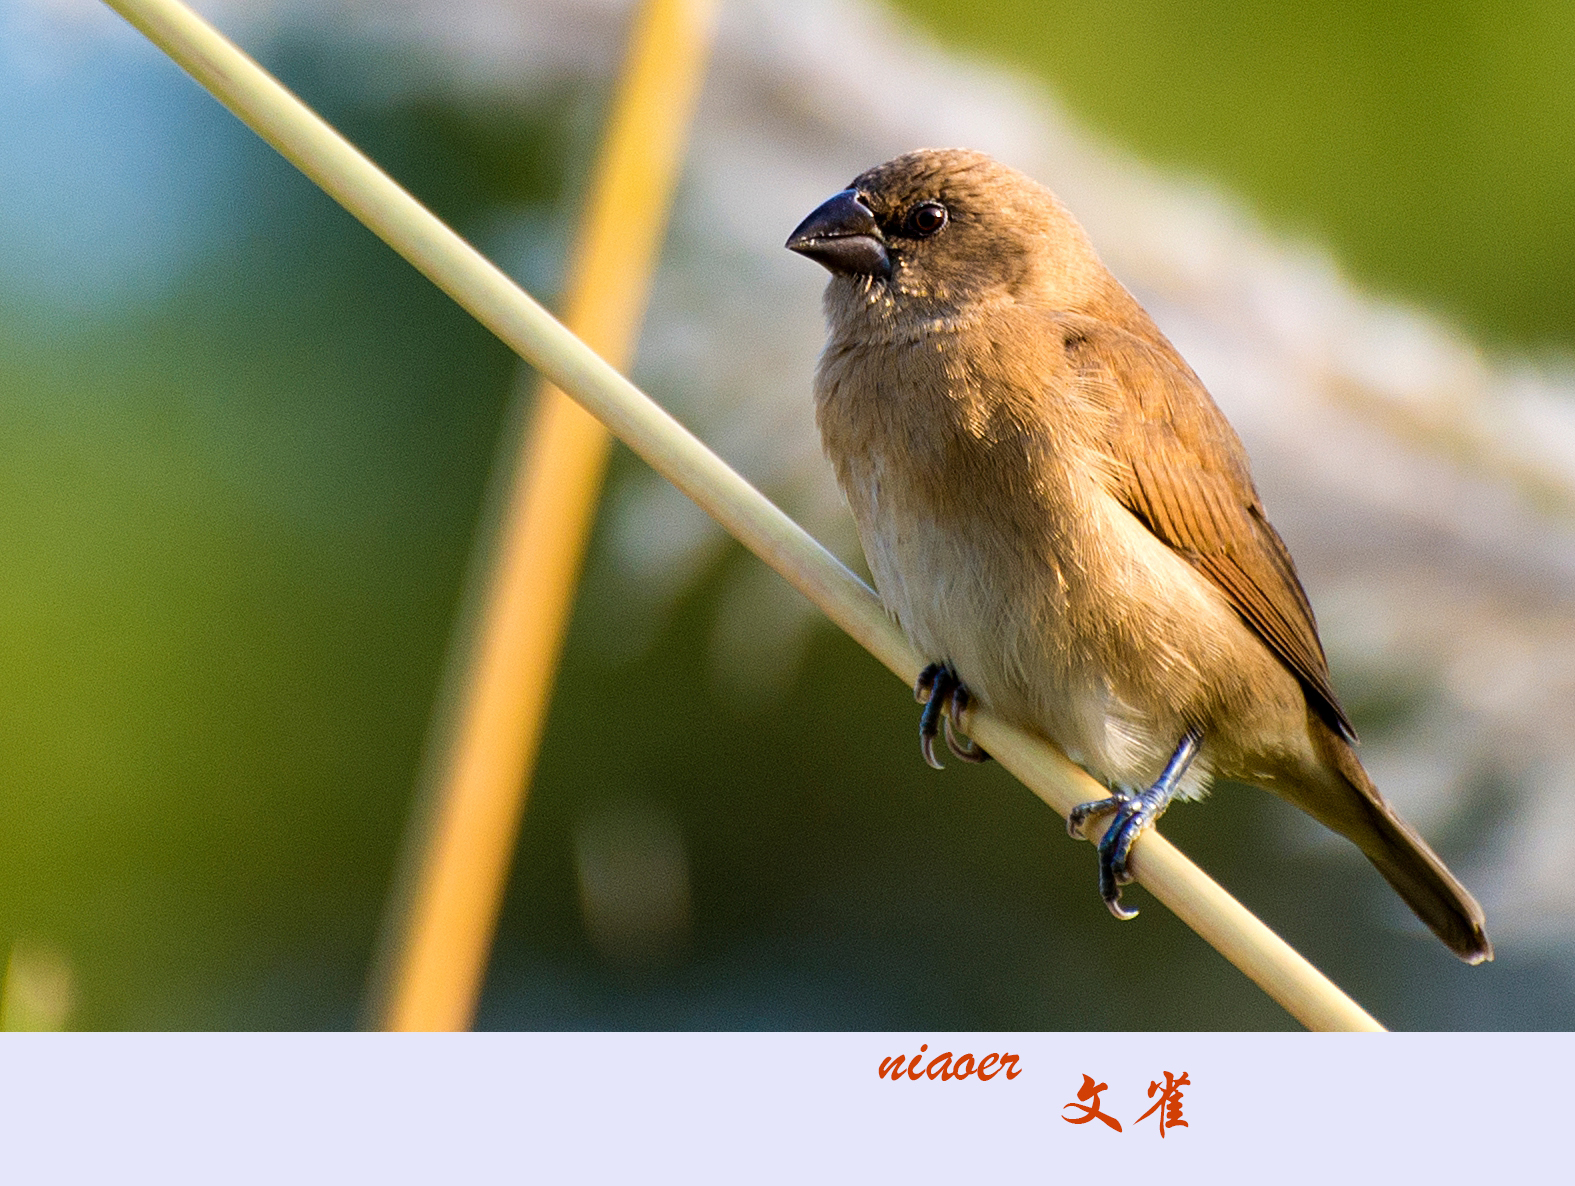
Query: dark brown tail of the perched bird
{"x":1351,"y":804}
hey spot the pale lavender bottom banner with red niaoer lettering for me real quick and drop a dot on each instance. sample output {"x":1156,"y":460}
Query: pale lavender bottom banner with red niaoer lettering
{"x":766,"y":1108}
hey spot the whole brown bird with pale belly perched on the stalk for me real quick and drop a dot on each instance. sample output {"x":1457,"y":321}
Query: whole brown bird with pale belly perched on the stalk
{"x":1065,"y":525}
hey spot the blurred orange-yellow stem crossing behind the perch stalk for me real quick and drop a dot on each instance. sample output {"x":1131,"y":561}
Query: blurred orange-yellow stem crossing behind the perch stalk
{"x":467,"y":823}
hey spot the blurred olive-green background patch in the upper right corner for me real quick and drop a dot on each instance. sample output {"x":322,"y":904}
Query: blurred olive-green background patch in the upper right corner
{"x":1429,"y":144}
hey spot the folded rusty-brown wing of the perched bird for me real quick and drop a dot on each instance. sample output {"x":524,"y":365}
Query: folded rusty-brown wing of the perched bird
{"x":1179,"y":467}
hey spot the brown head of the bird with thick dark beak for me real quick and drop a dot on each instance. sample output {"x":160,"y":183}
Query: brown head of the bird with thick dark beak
{"x":939,"y":232}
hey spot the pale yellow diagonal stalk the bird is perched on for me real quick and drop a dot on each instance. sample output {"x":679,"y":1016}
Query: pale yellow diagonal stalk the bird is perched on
{"x":676,"y":454}
